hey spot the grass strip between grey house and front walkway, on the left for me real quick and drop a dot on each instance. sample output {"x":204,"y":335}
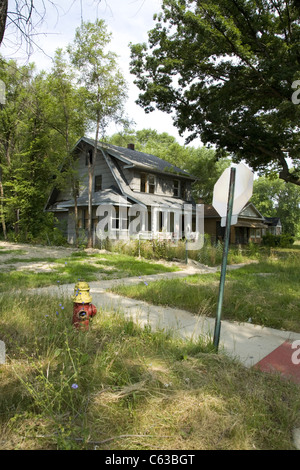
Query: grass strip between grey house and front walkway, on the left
{"x":79,"y":265}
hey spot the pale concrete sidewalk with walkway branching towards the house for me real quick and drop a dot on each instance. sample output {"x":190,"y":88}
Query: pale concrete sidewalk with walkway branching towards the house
{"x":248,"y":343}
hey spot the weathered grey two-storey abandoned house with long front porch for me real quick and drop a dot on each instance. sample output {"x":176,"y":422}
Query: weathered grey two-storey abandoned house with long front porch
{"x":125,"y":179}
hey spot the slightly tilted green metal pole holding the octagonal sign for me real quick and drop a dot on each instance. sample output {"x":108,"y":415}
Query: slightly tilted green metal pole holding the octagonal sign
{"x":224,"y":259}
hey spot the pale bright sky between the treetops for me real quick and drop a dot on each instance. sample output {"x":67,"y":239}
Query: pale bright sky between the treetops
{"x":127,"y":20}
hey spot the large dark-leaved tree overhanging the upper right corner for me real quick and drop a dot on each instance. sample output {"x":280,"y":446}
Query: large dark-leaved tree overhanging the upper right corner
{"x":226,"y":70}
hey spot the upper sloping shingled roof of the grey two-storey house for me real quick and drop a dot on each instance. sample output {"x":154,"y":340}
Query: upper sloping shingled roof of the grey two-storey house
{"x":134,"y":158}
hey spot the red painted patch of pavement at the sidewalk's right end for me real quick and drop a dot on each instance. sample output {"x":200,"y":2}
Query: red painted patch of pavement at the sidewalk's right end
{"x":284,"y":360}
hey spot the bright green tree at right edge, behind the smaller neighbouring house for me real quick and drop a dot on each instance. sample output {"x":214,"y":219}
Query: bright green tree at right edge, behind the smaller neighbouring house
{"x":274,"y":198}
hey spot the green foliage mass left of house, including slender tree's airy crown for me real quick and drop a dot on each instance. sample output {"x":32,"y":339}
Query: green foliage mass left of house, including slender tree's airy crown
{"x":44,"y":115}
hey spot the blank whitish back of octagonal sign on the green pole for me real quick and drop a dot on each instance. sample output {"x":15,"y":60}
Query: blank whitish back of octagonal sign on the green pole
{"x":242,"y":192}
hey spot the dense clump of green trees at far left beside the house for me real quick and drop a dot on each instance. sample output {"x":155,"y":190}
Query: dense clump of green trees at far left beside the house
{"x":42,"y":119}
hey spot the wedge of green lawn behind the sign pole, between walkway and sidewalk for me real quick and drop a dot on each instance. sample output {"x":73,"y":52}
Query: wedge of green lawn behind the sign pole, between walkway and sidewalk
{"x":265,"y":293}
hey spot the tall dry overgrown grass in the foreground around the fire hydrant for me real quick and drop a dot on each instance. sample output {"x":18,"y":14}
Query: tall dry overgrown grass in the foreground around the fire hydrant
{"x":119,"y":386}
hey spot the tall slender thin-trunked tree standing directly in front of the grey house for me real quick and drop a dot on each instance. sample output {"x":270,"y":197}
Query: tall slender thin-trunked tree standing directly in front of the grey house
{"x":104,"y":84}
